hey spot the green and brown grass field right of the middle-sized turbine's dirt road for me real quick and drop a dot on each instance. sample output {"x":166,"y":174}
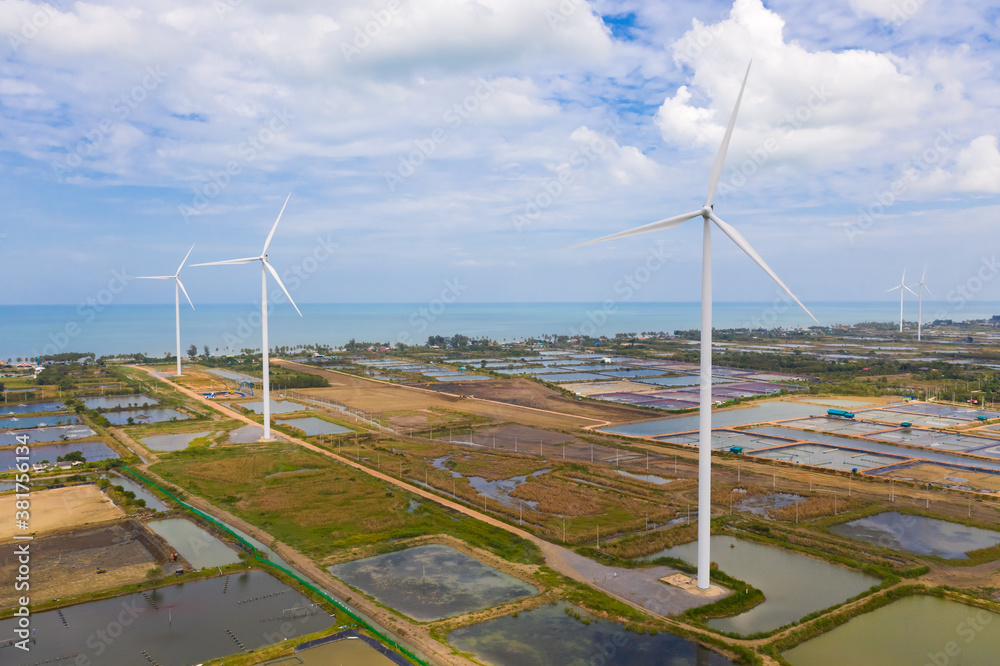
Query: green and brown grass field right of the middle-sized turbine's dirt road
{"x":323,"y":511}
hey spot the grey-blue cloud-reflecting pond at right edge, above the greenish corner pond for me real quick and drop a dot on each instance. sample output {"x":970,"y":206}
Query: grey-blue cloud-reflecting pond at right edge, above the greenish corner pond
{"x":918,"y":534}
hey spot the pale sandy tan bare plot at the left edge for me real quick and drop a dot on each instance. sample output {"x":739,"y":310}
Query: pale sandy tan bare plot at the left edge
{"x":59,"y":508}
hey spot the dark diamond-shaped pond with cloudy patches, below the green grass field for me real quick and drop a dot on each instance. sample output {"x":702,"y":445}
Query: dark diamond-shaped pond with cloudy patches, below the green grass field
{"x":432,"y":582}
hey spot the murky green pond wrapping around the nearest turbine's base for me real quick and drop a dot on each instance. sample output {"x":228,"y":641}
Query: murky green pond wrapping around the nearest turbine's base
{"x":795,"y":585}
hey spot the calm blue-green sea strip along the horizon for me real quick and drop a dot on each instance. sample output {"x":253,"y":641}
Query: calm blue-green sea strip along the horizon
{"x":29,"y":331}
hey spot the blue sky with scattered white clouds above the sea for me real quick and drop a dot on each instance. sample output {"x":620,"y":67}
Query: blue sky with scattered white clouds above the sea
{"x":450,"y":142}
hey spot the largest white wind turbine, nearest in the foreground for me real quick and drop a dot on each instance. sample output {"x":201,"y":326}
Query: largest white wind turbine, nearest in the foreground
{"x":708,"y":215}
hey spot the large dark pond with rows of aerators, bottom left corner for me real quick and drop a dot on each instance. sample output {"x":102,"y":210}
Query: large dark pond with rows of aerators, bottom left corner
{"x":179,"y":625}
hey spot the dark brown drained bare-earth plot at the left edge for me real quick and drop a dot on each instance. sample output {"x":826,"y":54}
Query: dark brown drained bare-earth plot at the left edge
{"x":65,"y":563}
